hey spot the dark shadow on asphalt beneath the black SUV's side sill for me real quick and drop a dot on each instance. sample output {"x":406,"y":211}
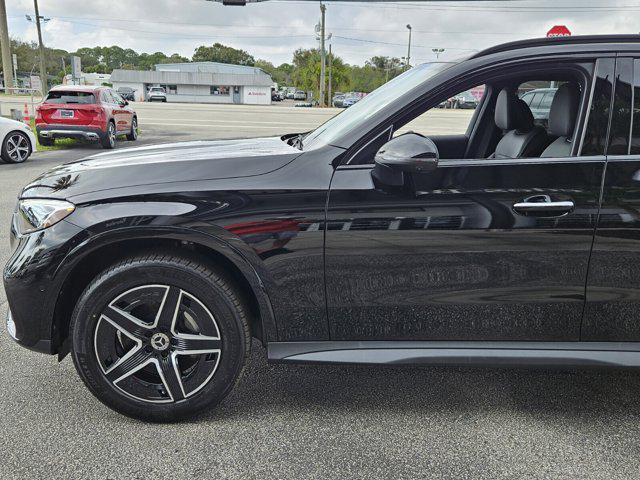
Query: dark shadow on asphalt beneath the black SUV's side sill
{"x":583,"y":393}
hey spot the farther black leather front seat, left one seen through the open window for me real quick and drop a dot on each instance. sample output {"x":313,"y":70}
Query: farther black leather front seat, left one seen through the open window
{"x":522,"y":138}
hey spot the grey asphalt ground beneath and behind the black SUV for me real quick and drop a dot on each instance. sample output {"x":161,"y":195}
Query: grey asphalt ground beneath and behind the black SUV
{"x":298,"y":422}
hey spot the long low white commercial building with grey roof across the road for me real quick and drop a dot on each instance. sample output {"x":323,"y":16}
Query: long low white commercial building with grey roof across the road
{"x":200,"y":82}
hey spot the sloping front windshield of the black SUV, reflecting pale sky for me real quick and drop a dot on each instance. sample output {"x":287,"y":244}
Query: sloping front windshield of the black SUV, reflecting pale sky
{"x":371,"y":104}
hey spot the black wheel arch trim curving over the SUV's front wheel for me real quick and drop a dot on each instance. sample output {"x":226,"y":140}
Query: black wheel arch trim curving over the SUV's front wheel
{"x":87,"y":260}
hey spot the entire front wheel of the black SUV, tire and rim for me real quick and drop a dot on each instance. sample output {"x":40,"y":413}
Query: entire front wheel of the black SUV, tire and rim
{"x":160,"y":282}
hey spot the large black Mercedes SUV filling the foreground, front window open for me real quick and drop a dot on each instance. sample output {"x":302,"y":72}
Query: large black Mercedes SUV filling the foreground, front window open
{"x":501,"y":242}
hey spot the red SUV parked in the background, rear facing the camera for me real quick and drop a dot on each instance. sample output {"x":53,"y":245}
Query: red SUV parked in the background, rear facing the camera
{"x":87,"y":112}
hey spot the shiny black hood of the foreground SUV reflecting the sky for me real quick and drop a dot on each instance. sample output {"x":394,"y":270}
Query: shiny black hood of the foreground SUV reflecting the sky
{"x":167,"y":163}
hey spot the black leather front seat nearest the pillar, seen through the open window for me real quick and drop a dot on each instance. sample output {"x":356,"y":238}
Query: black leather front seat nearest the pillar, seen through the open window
{"x":562,"y":120}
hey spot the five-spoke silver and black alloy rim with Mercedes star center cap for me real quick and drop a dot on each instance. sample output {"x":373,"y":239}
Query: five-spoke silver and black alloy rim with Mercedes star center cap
{"x":157,"y":343}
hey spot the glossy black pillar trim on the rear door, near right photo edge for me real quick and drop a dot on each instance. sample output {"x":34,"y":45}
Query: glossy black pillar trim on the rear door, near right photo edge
{"x":621,"y":118}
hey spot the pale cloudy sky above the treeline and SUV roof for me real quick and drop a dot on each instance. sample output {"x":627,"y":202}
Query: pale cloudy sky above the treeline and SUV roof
{"x":272,"y":30}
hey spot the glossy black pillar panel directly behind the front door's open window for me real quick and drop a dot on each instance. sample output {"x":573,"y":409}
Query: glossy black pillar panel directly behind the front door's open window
{"x":595,"y":138}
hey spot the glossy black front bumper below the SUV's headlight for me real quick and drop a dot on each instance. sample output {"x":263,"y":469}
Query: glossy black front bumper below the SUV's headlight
{"x":33,"y":281}
